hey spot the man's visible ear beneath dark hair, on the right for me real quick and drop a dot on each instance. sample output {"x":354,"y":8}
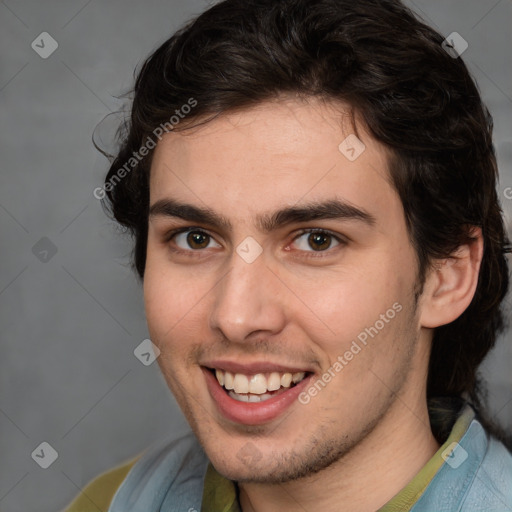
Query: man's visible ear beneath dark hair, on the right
{"x":451,"y":283}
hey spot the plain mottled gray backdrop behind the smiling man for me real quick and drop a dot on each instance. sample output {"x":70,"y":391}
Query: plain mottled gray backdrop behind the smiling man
{"x":69,"y":325}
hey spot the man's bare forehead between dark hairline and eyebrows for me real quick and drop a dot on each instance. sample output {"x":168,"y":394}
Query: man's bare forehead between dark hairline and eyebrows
{"x":277,"y":153}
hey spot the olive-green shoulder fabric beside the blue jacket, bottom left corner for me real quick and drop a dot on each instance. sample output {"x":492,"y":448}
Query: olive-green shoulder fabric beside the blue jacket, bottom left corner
{"x":98,"y":494}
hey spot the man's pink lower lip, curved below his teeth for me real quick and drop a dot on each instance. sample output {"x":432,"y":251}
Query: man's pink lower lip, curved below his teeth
{"x":251,"y":413}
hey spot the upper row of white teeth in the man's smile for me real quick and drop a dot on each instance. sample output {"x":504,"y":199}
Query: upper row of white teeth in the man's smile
{"x":259,"y":383}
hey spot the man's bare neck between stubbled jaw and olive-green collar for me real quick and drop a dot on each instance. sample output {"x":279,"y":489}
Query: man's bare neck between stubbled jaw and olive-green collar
{"x":366,"y":477}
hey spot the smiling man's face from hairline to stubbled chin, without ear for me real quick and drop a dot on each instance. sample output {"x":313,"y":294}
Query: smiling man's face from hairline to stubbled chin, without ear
{"x":312,"y":286}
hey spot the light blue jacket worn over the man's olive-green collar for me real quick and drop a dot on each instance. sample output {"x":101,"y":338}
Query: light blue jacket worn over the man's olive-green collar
{"x":475,"y":475}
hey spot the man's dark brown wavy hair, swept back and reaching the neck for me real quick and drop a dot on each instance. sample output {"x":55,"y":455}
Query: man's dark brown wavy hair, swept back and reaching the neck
{"x":413,"y":96}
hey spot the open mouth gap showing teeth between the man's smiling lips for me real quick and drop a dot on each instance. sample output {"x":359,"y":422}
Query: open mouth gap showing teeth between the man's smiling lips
{"x":258,"y":387}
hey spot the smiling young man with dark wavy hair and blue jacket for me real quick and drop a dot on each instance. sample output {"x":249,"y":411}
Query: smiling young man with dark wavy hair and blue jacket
{"x":311,"y":187}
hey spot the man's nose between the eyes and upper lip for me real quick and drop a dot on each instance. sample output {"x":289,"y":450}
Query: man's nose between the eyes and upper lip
{"x":248,"y":302}
